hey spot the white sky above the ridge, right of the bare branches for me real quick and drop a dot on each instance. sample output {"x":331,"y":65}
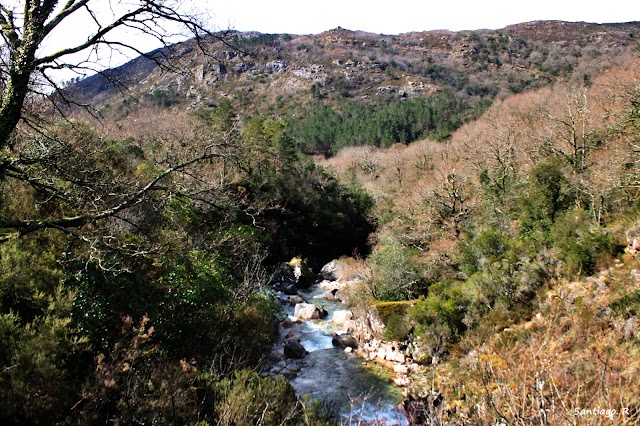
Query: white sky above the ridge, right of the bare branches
{"x":398,"y":16}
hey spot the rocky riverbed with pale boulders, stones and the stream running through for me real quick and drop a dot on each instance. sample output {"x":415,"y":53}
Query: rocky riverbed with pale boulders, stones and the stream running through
{"x":328,"y":354}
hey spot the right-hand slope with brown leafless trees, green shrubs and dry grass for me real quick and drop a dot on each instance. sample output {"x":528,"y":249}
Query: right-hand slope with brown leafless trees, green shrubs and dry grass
{"x":523,"y":225}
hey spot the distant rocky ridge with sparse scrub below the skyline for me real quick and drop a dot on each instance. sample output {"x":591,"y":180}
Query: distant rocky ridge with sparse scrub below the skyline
{"x":277,"y":73}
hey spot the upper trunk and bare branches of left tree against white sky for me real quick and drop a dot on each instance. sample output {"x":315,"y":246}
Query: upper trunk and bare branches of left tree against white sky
{"x":26,"y":31}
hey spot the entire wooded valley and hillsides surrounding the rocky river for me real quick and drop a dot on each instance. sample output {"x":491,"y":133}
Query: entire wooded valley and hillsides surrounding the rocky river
{"x":488,"y":208}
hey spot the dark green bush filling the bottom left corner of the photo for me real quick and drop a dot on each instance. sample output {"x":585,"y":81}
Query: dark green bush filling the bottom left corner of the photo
{"x":40,"y":363}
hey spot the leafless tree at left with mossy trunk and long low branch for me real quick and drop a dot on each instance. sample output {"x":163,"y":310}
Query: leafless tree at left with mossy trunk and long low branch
{"x":47,"y":161}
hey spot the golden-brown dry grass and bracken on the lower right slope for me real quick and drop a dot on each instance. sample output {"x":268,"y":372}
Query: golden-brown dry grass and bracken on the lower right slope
{"x":575,"y":355}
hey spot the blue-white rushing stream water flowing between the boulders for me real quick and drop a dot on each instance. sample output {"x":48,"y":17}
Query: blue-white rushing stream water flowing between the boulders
{"x":342,"y":382}
